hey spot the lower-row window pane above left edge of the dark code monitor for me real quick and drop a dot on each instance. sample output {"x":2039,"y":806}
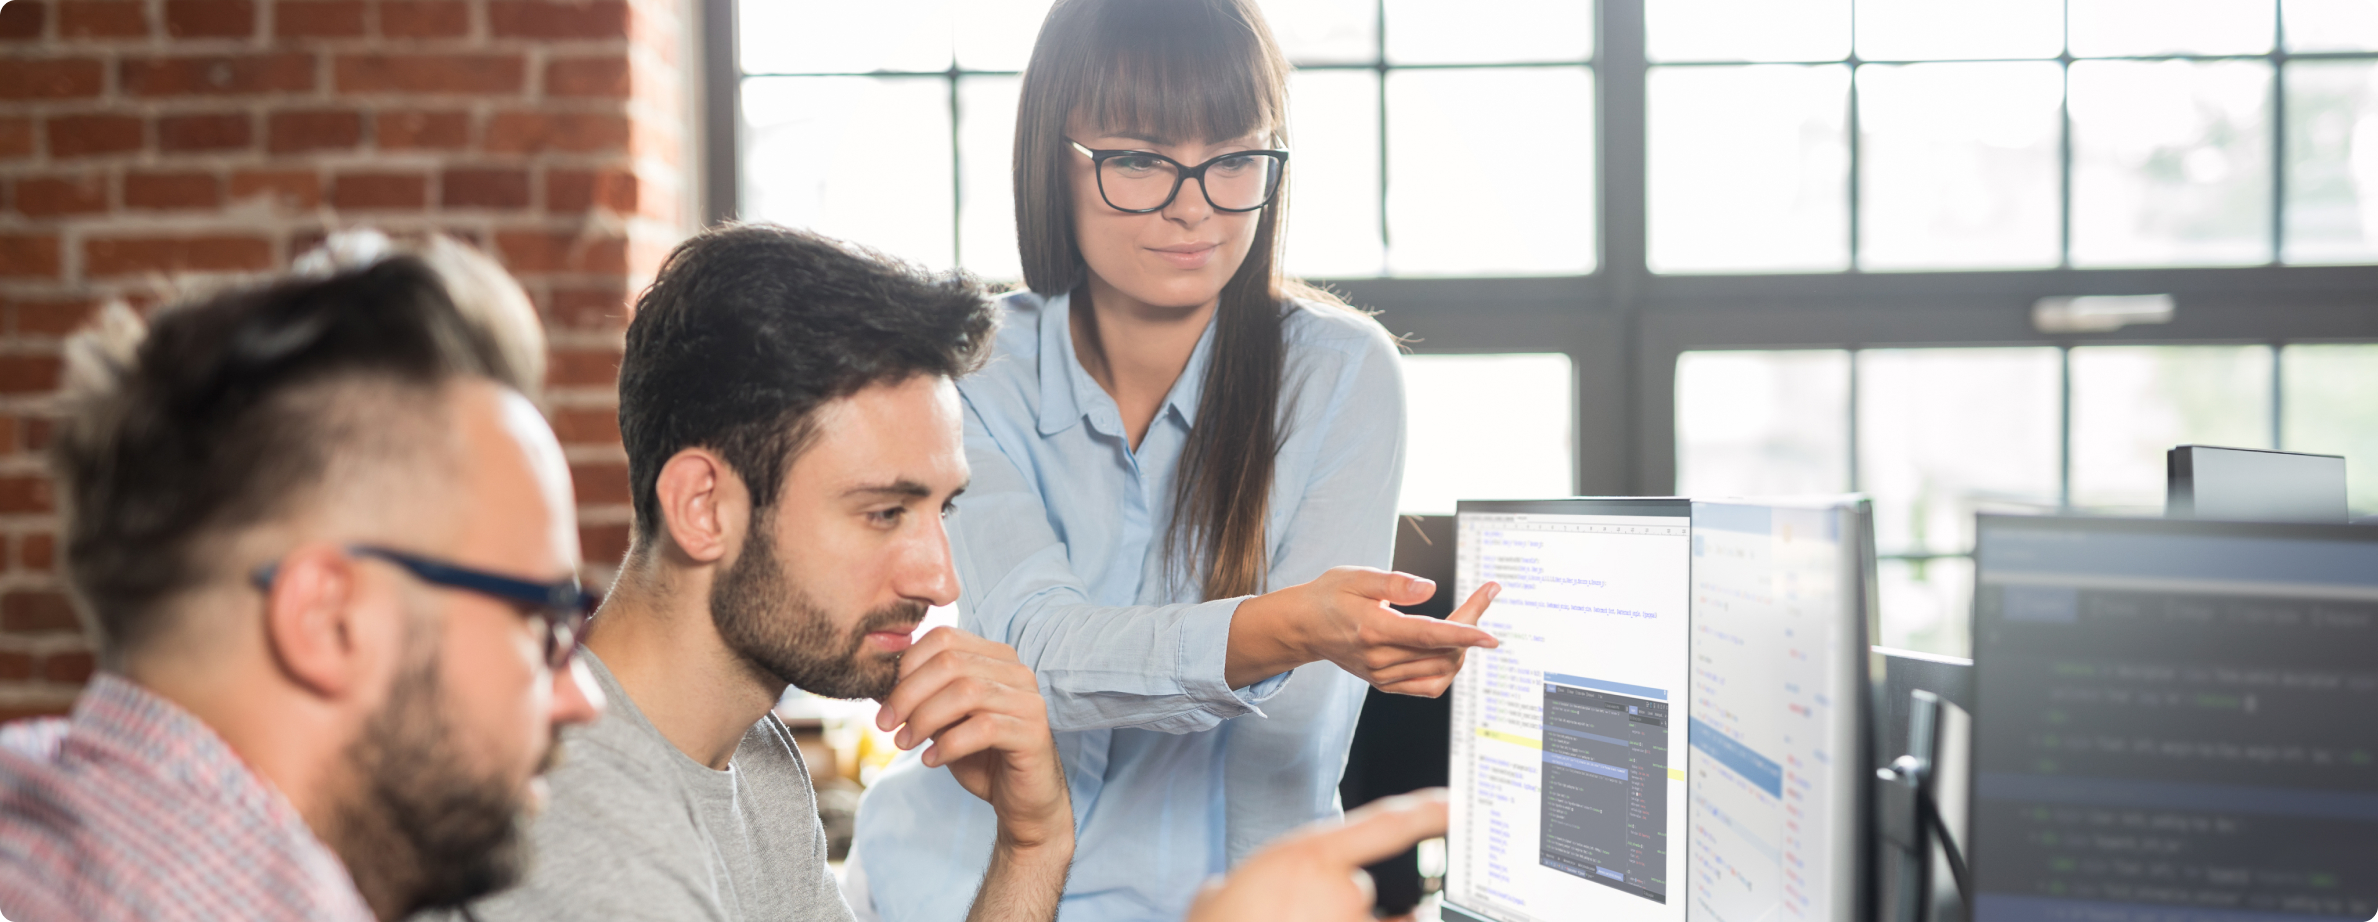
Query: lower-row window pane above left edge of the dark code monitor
{"x":1944,"y":434}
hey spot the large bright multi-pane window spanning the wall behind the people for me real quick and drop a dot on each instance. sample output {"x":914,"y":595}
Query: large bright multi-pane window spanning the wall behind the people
{"x":1725,"y":246}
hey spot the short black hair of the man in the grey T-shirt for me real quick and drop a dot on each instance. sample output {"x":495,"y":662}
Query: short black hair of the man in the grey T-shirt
{"x":753,"y":327}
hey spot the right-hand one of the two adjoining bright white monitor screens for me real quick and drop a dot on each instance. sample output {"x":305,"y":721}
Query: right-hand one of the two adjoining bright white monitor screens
{"x":1778,"y":764}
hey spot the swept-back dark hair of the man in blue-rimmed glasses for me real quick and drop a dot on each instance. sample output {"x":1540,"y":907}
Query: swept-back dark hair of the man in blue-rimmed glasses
{"x":227,"y":415}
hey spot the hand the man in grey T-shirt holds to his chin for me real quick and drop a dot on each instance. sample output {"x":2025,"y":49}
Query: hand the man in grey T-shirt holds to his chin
{"x":986,"y":719}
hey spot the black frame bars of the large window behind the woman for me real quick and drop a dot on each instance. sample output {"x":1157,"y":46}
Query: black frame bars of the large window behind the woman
{"x":1623,"y":327}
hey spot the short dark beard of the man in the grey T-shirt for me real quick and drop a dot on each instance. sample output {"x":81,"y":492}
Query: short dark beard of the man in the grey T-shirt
{"x":779,"y":631}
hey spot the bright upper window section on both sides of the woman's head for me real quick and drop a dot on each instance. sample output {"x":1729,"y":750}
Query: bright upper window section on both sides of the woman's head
{"x":893,"y":122}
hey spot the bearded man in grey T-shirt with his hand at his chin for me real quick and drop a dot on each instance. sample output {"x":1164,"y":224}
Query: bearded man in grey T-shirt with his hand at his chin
{"x":793,"y":446}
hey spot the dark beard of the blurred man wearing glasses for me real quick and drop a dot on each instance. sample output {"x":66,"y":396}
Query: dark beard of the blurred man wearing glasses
{"x":427,"y":833}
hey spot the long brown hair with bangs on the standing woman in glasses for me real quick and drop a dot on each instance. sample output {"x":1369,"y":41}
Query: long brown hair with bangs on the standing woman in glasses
{"x":1190,"y":70}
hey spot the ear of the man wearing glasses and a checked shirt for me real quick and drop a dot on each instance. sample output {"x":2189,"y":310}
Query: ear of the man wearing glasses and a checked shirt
{"x":310,"y":621}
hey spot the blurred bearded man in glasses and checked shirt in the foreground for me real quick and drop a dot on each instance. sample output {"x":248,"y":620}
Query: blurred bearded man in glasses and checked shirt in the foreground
{"x":329,"y":555}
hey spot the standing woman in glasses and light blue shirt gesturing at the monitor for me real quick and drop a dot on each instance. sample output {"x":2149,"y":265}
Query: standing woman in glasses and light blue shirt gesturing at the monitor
{"x":1166,"y":431}
